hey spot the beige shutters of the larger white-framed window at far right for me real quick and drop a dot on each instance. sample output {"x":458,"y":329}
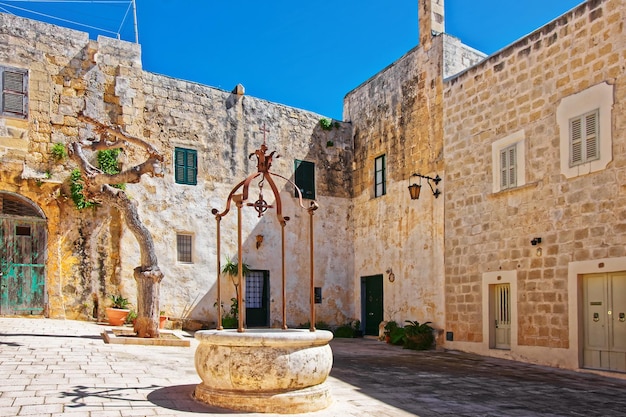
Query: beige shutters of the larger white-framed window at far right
{"x":583,"y":133}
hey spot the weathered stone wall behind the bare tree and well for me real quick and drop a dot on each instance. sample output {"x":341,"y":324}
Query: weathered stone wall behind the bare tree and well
{"x":92,"y":255}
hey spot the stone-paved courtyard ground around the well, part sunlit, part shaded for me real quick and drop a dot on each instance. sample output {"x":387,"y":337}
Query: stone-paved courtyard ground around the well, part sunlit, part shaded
{"x":63,"y":368}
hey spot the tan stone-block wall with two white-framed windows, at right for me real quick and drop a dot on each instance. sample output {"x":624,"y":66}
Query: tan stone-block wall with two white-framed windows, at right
{"x":517,"y":92}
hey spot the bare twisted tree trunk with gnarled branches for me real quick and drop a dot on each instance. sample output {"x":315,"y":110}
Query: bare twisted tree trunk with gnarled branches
{"x":98,"y":188}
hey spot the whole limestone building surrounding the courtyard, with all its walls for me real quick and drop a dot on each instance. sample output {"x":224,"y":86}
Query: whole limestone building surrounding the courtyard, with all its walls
{"x":517,"y":252}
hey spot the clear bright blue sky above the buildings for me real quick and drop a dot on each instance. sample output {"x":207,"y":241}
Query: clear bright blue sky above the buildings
{"x":305,"y":54}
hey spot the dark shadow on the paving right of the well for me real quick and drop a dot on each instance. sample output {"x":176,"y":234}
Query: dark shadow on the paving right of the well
{"x":438,"y":383}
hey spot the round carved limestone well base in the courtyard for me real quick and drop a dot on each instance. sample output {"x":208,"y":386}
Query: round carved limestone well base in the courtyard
{"x":264,"y":370}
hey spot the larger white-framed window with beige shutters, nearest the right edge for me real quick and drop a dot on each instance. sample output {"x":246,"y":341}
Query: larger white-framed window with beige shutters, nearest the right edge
{"x":585,"y":136}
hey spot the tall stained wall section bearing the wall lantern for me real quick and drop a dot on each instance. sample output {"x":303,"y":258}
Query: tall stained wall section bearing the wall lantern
{"x":398,"y":113}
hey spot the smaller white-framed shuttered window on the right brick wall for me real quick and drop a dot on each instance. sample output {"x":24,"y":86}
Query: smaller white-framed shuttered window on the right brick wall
{"x":508,"y":156}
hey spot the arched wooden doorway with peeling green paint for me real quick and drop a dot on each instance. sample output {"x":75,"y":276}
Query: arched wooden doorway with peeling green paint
{"x":22,"y":256}
